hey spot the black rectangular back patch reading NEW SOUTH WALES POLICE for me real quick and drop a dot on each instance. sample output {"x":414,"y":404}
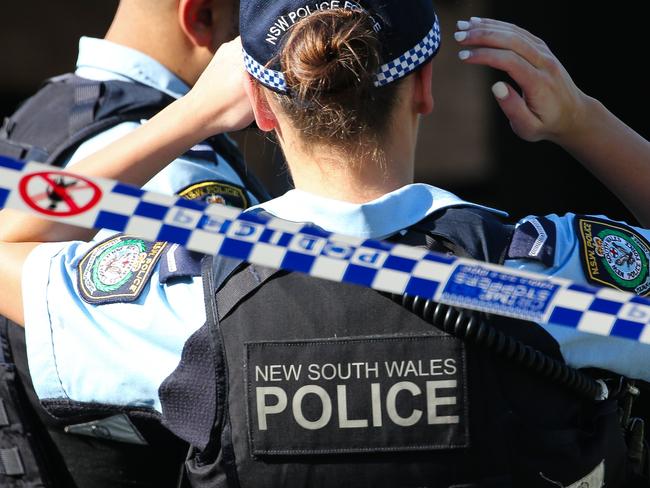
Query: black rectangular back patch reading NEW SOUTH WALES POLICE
{"x":376,"y":394}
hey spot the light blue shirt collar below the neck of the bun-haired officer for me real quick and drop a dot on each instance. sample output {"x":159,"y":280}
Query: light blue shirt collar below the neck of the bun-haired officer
{"x":376,"y":219}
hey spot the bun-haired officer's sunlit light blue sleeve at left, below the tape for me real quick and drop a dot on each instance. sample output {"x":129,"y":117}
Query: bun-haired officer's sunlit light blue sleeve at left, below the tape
{"x":115,"y":354}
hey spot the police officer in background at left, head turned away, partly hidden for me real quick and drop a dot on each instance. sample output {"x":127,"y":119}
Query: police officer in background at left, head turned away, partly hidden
{"x":153,"y":49}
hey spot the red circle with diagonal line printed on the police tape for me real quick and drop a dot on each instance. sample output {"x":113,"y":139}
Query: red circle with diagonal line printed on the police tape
{"x":59,"y":194}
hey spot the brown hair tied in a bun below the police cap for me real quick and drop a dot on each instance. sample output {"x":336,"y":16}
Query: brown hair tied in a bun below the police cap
{"x":330,"y":60}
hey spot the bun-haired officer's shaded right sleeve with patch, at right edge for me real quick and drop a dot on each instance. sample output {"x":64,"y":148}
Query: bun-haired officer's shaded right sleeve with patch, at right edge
{"x":597,"y":251}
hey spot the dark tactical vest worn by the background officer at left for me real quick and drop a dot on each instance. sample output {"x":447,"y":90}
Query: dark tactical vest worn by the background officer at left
{"x":89,"y":446}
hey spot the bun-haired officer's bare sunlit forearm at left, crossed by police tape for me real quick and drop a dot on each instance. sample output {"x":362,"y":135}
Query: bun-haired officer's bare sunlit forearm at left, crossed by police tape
{"x":134,"y":159}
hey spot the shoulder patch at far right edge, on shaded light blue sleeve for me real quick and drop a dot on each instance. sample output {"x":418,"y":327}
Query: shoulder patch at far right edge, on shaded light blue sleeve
{"x":614,"y":255}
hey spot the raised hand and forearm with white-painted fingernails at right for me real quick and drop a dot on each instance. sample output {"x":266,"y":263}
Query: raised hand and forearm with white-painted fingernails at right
{"x":552,"y":107}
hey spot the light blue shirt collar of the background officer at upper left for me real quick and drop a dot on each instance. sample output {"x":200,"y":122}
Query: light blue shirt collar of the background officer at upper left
{"x":103,"y":60}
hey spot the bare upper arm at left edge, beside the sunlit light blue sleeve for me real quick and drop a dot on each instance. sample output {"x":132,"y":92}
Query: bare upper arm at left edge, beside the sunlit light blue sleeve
{"x":12,"y":258}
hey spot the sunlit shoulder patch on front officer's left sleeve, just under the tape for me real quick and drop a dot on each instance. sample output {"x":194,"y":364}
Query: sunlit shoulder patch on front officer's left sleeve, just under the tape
{"x":118,"y":269}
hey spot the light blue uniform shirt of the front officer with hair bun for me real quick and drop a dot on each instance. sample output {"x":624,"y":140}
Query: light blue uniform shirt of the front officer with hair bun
{"x":121,"y":353}
